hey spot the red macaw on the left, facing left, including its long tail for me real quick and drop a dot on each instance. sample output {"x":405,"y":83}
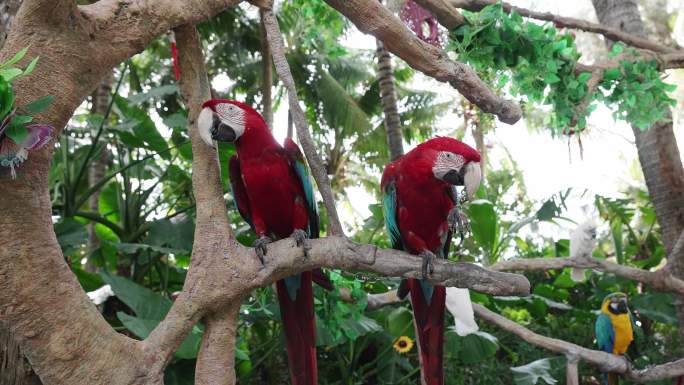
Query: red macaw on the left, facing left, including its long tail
{"x":273,"y":192}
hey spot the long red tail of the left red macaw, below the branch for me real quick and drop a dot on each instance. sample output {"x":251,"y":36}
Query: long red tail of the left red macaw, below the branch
{"x":299,"y":321}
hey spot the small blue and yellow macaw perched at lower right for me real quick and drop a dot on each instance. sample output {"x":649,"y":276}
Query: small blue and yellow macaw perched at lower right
{"x":614,"y":331}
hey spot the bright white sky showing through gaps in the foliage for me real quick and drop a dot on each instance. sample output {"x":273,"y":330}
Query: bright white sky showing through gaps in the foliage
{"x":610,"y":160}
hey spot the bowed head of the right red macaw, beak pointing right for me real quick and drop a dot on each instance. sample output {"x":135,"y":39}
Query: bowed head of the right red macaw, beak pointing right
{"x":453,"y":162}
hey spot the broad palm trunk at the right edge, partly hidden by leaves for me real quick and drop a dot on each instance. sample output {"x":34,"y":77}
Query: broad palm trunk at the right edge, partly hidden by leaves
{"x":657,"y":148}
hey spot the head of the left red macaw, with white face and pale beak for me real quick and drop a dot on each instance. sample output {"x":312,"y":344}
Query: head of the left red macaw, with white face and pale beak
{"x":227,"y":120}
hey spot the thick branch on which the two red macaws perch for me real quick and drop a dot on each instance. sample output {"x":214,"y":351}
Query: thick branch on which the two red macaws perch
{"x":207,"y":289}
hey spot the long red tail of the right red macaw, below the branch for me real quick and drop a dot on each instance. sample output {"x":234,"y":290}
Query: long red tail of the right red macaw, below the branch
{"x":429,"y":319}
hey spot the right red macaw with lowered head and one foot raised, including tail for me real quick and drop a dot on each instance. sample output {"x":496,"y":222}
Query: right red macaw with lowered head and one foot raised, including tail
{"x":421,"y":212}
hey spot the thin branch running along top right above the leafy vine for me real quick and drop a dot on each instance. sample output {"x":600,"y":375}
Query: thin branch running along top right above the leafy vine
{"x":567,"y":22}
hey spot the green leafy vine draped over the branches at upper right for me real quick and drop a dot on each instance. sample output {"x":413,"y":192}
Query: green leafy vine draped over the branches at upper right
{"x":538,"y":64}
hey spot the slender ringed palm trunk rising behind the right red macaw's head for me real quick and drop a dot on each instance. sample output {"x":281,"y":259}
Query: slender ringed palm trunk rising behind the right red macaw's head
{"x":388,"y":97}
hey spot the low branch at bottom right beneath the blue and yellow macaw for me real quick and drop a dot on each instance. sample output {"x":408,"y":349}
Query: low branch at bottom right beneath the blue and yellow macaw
{"x":602,"y":360}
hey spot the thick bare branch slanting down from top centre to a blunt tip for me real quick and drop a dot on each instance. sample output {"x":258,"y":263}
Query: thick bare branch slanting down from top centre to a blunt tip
{"x":373,"y":18}
